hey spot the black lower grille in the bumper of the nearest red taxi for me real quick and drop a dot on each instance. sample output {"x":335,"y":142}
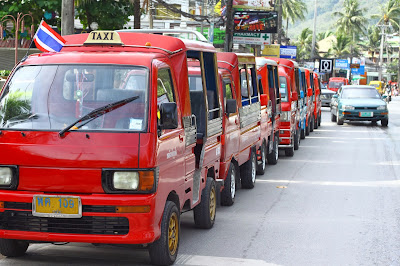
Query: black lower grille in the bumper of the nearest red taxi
{"x":25,"y":221}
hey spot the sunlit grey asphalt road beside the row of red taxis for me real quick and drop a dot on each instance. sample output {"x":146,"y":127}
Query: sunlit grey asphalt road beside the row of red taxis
{"x":336,"y":202}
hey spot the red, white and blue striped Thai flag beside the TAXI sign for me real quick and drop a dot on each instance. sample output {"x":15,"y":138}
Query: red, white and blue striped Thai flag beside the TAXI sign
{"x":47,"y":40}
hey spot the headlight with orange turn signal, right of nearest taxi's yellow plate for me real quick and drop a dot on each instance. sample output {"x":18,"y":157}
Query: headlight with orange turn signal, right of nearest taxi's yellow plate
{"x":130,"y":180}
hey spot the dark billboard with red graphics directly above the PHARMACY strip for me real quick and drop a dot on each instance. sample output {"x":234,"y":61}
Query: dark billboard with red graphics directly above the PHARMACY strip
{"x":256,"y":21}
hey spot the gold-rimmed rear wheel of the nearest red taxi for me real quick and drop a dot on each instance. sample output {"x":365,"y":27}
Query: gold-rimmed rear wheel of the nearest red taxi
{"x":204,"y":213}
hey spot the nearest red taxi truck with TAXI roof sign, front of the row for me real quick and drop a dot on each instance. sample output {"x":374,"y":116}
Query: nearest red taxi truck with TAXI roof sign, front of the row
{"x":105,"y":143}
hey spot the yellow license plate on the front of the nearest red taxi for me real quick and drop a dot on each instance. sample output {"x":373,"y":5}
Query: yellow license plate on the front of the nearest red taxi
{"x":57,"y":206}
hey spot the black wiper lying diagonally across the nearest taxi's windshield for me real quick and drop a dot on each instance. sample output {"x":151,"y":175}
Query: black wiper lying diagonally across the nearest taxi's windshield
{"x":96,"y":113}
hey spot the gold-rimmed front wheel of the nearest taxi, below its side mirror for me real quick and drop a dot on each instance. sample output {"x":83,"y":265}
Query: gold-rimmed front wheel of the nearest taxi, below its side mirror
{"x":165,"y":249}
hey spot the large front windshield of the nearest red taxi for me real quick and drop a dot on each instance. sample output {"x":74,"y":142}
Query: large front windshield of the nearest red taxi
{"x":50,"y":97}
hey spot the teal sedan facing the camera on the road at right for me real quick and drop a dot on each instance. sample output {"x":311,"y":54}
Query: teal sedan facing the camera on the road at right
{"x":359,"y":103}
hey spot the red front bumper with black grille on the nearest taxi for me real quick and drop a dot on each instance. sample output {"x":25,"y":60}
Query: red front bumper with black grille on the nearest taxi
{"x":100,"y":223}
